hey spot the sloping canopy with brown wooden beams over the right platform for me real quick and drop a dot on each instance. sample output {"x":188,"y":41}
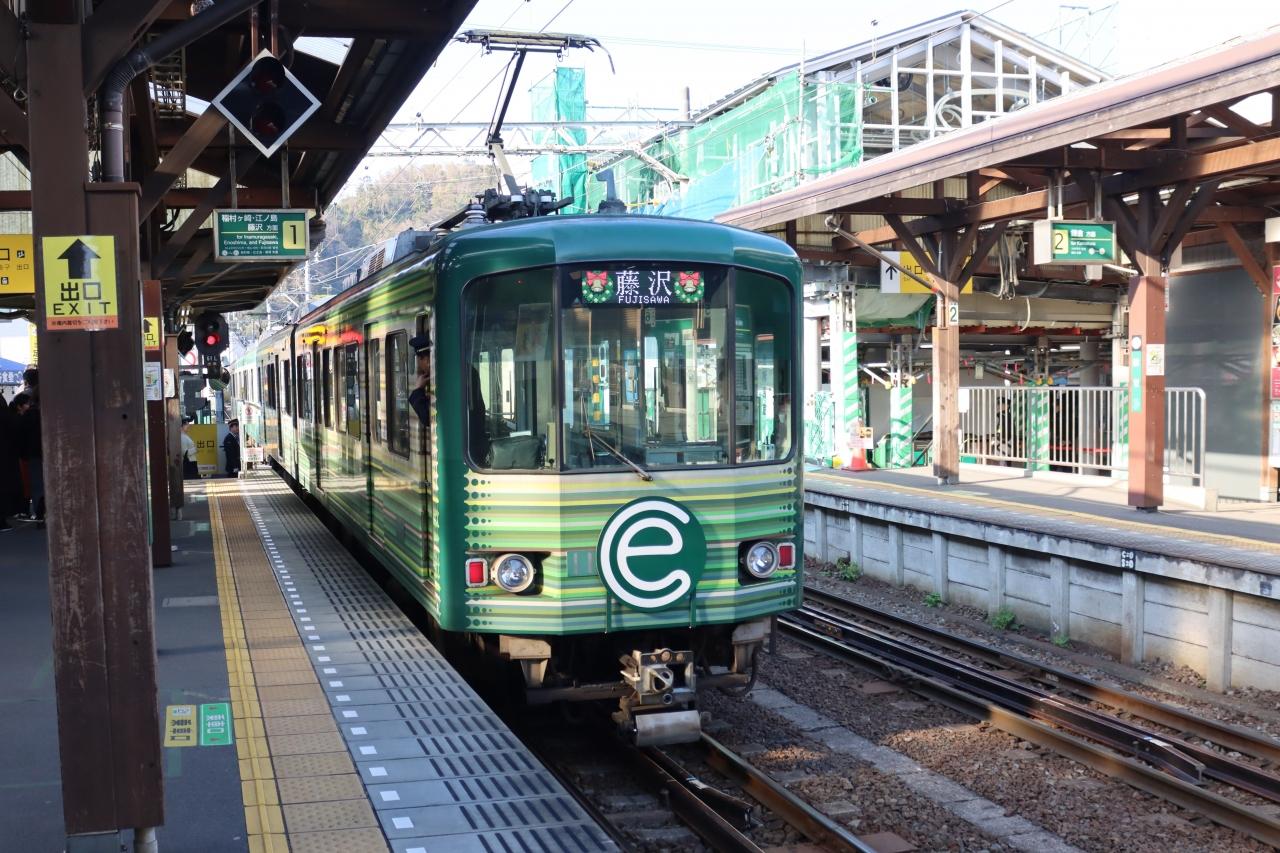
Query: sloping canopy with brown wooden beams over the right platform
{"x":1185,"y":156}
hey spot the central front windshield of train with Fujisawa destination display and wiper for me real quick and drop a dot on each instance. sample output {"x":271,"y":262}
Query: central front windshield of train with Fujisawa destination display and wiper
{"x":644,"y":358}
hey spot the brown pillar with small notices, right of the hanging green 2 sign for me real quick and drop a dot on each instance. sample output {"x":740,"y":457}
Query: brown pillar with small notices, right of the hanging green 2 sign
{"x":1146,"y":393}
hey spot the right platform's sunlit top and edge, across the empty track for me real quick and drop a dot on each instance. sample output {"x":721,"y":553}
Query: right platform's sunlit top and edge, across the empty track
{"x":1245,"y":536}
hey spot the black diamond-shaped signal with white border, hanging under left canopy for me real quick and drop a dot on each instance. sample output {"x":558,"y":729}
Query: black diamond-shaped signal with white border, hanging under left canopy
{"x":267,"y":103}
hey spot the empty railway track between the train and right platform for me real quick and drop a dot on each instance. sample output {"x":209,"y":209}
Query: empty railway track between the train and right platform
{"x":1059,"y":711}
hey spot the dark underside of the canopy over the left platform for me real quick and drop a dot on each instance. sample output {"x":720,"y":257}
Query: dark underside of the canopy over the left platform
{"x":362,"y":61}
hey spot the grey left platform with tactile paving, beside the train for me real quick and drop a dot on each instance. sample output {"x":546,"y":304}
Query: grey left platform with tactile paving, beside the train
{"x":349,"y":731}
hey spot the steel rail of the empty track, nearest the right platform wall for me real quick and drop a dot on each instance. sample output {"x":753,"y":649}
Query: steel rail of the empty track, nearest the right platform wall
{"x":1258,"y":781}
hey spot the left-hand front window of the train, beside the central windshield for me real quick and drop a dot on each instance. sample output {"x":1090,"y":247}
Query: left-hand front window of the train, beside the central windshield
{"x":509,"y":385}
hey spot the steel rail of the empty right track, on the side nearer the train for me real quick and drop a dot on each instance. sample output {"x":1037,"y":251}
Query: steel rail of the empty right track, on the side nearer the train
{"x":1144,"y":777}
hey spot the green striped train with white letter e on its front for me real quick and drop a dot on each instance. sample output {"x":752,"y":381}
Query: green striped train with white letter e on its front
{"x":610,"y":476}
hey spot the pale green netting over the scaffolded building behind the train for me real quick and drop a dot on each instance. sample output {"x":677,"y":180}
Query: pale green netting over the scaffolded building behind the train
{"x":767,"y":144}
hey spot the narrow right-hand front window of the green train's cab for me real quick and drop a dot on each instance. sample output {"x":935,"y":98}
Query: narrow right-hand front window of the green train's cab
{"x":764,"y":396}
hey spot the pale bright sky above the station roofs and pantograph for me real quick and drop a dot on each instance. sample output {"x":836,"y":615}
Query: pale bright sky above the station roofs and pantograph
{"x":715,"y":47}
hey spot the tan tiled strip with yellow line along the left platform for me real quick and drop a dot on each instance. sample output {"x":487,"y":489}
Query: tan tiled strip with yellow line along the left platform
{"x":300,"y":787}
